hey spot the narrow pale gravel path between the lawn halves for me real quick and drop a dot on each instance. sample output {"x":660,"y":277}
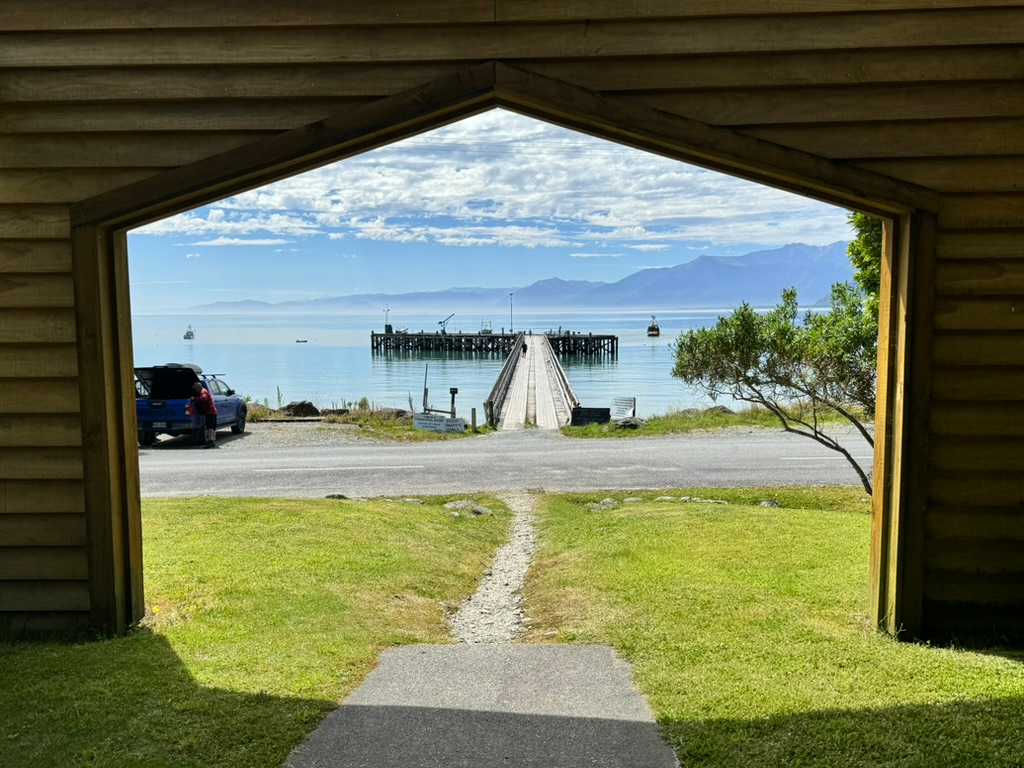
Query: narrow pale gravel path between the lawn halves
{"x":494,"y":614}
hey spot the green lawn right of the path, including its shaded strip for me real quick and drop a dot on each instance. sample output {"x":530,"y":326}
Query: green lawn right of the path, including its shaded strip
{"x":748,"y":631}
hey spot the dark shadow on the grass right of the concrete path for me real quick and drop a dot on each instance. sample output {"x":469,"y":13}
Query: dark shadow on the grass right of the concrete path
{"x":983,"y":734}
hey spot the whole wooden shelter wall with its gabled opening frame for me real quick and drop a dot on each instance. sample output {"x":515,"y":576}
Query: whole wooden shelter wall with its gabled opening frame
{"x":116,"y":113}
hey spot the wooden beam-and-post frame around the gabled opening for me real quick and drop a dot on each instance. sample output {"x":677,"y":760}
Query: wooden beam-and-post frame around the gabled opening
{"x":101,"y":271}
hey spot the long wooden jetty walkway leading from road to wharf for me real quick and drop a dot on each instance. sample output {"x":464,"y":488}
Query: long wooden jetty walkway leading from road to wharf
{"x":539,"y":395}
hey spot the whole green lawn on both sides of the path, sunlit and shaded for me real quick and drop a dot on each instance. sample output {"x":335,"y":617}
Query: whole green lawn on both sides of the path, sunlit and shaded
{"x":747,"y":627}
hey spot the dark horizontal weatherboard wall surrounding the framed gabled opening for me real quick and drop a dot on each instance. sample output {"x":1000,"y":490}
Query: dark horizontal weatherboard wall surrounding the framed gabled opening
{"x":98,"y":96}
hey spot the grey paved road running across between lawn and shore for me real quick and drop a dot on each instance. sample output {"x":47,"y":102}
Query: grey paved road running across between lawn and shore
{"x":513,"y":461}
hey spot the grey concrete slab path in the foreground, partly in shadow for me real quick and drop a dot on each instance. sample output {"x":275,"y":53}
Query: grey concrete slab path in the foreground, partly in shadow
{"x":491,"y":707}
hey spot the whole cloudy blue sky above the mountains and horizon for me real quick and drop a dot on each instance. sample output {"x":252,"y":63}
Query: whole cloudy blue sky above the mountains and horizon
{"x":496,"y":201}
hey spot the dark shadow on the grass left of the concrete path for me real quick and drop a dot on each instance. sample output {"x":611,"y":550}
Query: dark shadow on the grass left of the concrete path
{"x":133,"y":702}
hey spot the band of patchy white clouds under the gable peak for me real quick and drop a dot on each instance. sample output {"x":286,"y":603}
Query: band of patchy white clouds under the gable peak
{"x":503,"y":180}
